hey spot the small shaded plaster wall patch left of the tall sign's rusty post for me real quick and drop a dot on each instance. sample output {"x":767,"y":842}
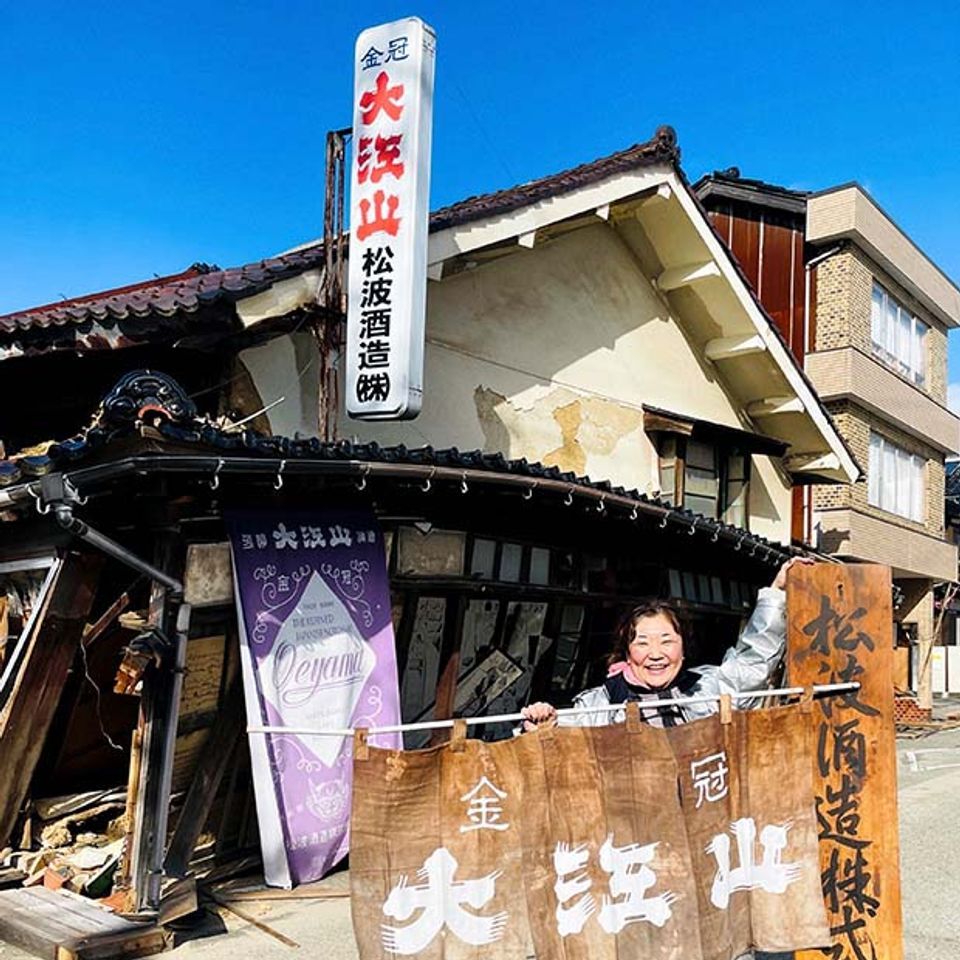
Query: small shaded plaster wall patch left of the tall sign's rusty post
{"x":287,"y":367}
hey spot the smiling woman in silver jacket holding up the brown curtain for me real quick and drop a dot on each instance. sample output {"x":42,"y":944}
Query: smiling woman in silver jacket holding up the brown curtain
{"x":647,"y":665}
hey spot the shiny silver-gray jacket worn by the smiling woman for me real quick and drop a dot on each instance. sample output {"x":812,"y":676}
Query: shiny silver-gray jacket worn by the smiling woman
{"x":750,"y":665}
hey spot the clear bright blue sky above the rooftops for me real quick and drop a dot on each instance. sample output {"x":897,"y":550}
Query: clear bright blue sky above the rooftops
{"x":143,"y":137}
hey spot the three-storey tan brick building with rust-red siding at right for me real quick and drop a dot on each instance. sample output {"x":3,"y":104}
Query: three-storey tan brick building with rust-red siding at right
{"x":867,"y":313}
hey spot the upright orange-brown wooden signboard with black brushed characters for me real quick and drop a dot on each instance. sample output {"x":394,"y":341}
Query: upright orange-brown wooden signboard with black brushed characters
{"x":840,"y":629}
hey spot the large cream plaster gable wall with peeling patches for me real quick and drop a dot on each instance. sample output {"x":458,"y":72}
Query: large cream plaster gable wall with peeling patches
{"x":550,"y":354}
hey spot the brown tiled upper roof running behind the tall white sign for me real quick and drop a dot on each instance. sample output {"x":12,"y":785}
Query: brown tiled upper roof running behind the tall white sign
{"x":201,"y":287}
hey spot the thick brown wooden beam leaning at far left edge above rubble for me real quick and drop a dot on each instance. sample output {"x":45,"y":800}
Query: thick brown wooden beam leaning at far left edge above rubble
{"x":28,"y":713}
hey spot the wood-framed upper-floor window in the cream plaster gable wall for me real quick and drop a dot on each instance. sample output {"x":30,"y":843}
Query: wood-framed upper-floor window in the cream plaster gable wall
{"x":708,"y":478}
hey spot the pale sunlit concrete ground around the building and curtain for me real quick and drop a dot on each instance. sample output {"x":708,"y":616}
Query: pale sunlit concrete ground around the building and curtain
{"x":929,"y":790}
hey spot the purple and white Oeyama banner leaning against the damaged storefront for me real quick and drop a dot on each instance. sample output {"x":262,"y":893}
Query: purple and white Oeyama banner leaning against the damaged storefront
{"x":318,"y":652}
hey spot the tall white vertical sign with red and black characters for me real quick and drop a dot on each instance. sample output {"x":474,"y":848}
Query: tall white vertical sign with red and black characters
{"x":389,"y":219}
